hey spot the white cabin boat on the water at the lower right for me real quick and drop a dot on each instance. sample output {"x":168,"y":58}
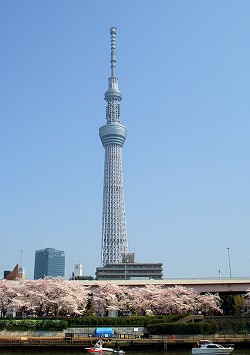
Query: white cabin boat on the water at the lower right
{"x":206,"y":347}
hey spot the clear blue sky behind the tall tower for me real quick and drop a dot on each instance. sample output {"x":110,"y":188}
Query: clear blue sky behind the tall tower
{"x":184,"y":73}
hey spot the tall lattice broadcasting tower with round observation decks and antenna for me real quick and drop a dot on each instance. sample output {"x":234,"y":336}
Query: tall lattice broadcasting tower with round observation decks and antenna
{"x":113,"y":135}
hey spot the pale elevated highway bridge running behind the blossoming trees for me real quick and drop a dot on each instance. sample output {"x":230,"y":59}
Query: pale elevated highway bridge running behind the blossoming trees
{"x":213,"y":285}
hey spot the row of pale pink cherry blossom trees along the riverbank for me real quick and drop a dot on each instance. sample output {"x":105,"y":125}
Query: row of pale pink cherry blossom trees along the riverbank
{"x":60,"y":297}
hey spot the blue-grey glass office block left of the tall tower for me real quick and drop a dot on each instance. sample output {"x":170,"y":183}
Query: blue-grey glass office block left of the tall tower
{"x":49,"y":262}
